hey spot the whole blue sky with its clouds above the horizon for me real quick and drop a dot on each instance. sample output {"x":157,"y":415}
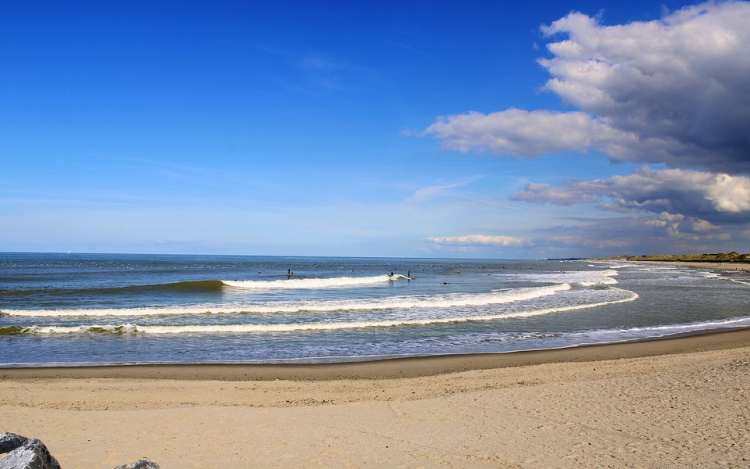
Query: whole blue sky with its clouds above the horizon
{"x":545,"y":129}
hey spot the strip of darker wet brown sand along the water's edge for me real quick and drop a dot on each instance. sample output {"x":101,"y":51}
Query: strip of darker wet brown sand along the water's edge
{"x":403,"y":367}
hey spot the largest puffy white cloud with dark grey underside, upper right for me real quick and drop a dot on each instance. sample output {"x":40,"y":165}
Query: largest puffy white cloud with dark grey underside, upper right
{"x":672,"y":91}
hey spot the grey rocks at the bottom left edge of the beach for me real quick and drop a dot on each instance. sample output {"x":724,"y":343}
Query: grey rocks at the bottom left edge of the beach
{"x":27,"y":453}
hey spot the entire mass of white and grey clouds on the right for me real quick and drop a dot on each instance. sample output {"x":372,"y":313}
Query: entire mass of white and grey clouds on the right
{"x":673,"y":92}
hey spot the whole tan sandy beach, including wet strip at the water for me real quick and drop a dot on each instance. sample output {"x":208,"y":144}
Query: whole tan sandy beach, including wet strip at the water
{"x":669,"y":403}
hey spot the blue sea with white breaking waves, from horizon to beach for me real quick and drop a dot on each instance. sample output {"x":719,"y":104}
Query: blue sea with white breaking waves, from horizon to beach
{"x":122,"y":308}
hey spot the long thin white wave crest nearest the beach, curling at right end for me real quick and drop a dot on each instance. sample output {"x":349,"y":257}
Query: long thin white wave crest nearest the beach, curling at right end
{"x":266,"y":328}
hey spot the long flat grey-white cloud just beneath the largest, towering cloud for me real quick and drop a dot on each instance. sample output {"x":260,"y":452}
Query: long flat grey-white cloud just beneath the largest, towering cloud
{"x":705,"y":195}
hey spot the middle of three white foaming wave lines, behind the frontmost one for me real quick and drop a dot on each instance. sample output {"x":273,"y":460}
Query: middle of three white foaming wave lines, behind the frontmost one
{"x":401,"y":302}
